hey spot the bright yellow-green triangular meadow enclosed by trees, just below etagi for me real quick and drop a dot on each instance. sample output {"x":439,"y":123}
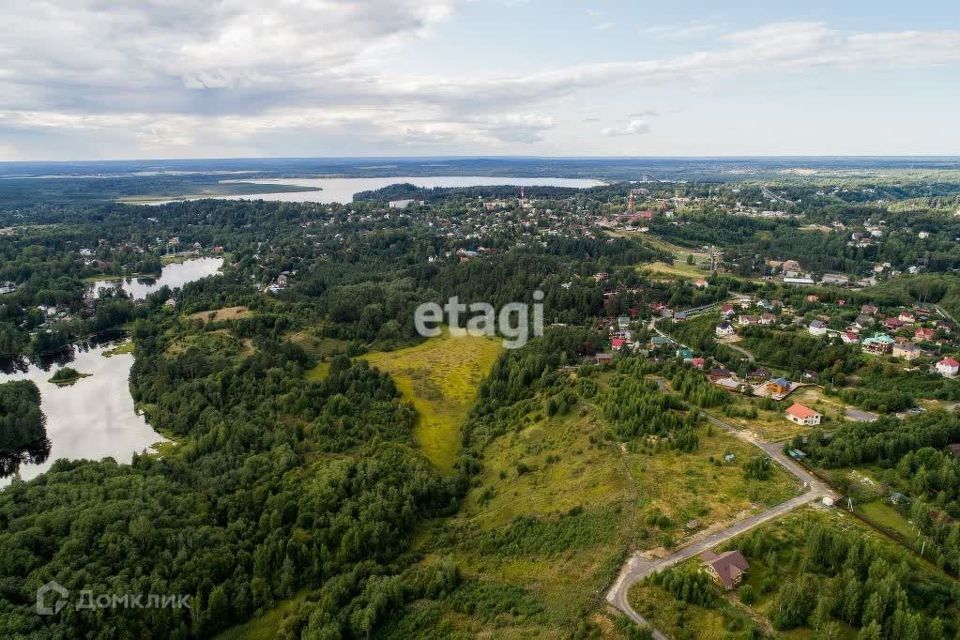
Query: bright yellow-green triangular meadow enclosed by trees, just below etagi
{"x":440,"y":377}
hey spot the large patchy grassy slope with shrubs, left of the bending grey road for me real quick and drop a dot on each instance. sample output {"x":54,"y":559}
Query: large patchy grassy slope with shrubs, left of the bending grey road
{"x":553,"y":514}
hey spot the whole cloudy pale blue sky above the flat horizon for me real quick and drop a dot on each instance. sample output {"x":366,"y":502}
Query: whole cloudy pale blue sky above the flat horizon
{"x":96,"y":80}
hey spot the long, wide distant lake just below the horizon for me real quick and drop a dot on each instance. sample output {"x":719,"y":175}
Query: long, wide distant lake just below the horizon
{"x":343,"y":189}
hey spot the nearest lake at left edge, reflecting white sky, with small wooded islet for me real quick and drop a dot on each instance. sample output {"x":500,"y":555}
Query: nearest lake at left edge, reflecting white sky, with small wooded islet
{"x":94,"y":418}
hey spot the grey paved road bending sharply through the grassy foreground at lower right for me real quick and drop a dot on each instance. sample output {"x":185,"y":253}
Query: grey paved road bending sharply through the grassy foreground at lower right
{"x":639,"y":567}
